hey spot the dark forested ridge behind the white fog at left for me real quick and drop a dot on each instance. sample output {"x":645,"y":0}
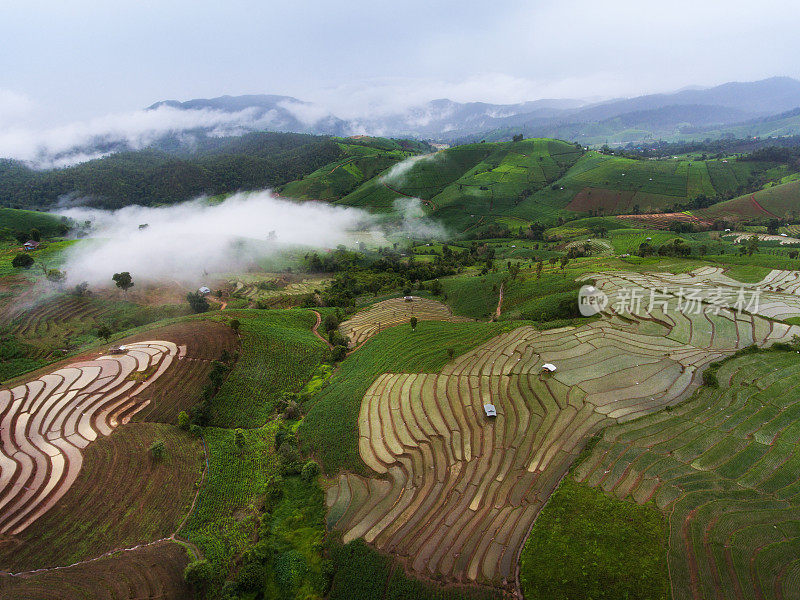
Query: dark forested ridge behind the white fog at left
{"x":149,"y":177}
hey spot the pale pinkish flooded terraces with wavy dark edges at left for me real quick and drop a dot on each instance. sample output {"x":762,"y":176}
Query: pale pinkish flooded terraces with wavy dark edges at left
{"x":46,"y":423}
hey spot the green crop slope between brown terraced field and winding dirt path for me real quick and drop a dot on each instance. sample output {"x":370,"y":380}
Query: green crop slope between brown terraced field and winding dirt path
{"x":279,"y":354}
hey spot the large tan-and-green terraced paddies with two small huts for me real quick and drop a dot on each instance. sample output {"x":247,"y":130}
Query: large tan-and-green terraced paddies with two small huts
{"x":455,"y":493}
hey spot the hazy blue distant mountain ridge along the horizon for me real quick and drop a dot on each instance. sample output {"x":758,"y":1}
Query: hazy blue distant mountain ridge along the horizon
{"x":672,"y":115}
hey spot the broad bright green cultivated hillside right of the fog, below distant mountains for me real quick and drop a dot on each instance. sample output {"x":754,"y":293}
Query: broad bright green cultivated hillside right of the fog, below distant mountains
{"x":511,"y":184}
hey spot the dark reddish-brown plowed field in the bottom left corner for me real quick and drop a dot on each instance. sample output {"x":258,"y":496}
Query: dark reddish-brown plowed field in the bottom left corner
{"x":151,"y":572}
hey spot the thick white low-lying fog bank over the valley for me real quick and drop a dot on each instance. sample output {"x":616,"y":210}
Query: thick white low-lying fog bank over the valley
{"x":186,"y":242}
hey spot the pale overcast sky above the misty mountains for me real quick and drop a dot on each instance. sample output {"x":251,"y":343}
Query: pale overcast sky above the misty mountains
{"x":68,"y":60}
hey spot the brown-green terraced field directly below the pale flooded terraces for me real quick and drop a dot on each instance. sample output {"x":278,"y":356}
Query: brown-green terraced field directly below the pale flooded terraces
{"x":121,"y":498}
